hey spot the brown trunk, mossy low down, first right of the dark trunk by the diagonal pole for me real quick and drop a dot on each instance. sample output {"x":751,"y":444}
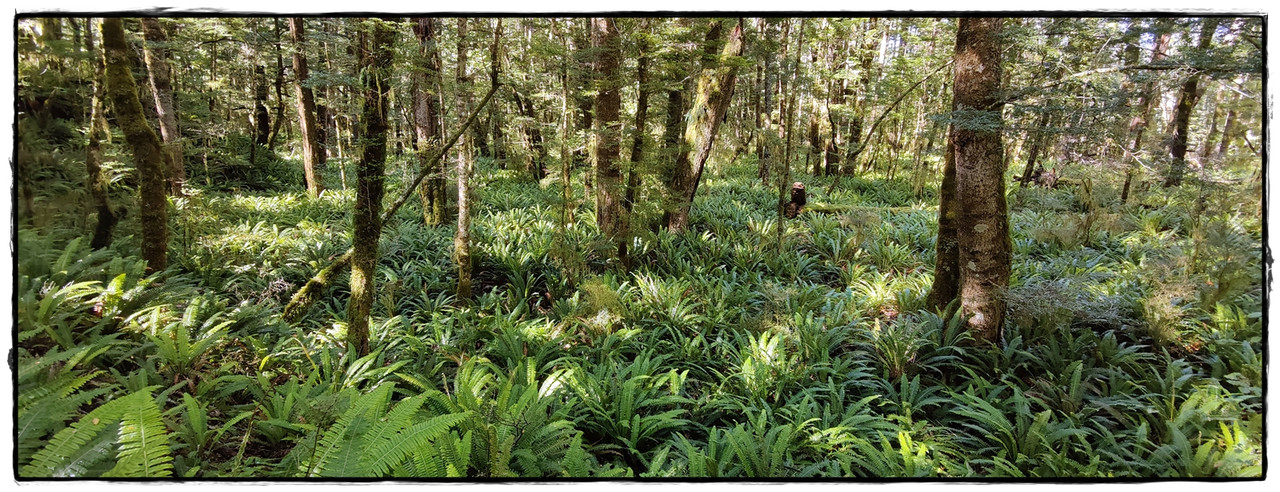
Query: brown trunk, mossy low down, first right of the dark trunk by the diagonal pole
{"x":427,"y":120}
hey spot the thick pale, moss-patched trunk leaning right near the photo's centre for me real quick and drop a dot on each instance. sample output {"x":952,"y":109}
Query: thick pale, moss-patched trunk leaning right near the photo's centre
{"x":715,"y":92}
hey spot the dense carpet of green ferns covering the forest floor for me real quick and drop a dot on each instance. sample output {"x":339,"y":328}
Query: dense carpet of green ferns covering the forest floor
{"x":1133,"y":347}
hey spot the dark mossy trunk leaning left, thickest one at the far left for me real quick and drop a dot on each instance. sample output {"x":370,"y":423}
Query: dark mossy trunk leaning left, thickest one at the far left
{"x":148,"y":154}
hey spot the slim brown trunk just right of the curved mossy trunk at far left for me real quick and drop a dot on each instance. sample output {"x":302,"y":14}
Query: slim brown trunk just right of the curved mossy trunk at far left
{"x":158,"y":74}
